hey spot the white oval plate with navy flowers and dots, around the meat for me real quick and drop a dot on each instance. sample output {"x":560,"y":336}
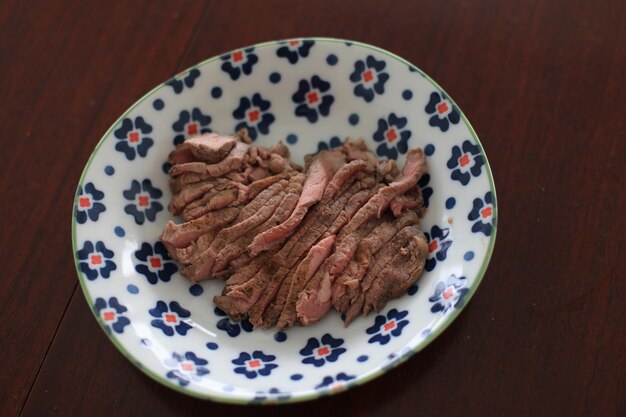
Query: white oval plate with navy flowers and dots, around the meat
{"x":311,"y":93}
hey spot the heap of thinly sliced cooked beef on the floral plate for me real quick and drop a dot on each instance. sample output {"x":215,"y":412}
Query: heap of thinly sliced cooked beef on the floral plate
{"x":291,"y":243}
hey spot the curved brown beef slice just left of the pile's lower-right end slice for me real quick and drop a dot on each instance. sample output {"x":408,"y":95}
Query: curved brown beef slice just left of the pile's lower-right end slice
{"x":346,"y":286}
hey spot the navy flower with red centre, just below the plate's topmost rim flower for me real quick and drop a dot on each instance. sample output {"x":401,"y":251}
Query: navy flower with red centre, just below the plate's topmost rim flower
{"x":313,"y":99}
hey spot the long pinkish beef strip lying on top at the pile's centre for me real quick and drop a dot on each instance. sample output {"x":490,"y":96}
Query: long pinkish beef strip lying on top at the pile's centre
{"x":319,"y":175}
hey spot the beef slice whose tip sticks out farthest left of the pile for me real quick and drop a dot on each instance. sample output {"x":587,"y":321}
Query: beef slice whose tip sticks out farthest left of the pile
{"x":181,"y":235}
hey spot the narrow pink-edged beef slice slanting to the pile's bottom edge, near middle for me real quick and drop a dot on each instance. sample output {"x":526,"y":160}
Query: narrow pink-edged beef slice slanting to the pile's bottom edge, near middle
{"x":302,"y":272}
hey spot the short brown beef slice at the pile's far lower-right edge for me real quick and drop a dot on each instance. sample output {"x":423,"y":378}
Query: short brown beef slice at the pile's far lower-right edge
{"x":403,"y":270}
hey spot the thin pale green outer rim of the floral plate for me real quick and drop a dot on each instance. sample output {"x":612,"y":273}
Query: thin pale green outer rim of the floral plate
{"x":308,"y":395}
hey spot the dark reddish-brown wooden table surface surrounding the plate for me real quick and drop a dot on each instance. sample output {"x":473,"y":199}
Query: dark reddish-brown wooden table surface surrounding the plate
{"x":541,"y":81}
